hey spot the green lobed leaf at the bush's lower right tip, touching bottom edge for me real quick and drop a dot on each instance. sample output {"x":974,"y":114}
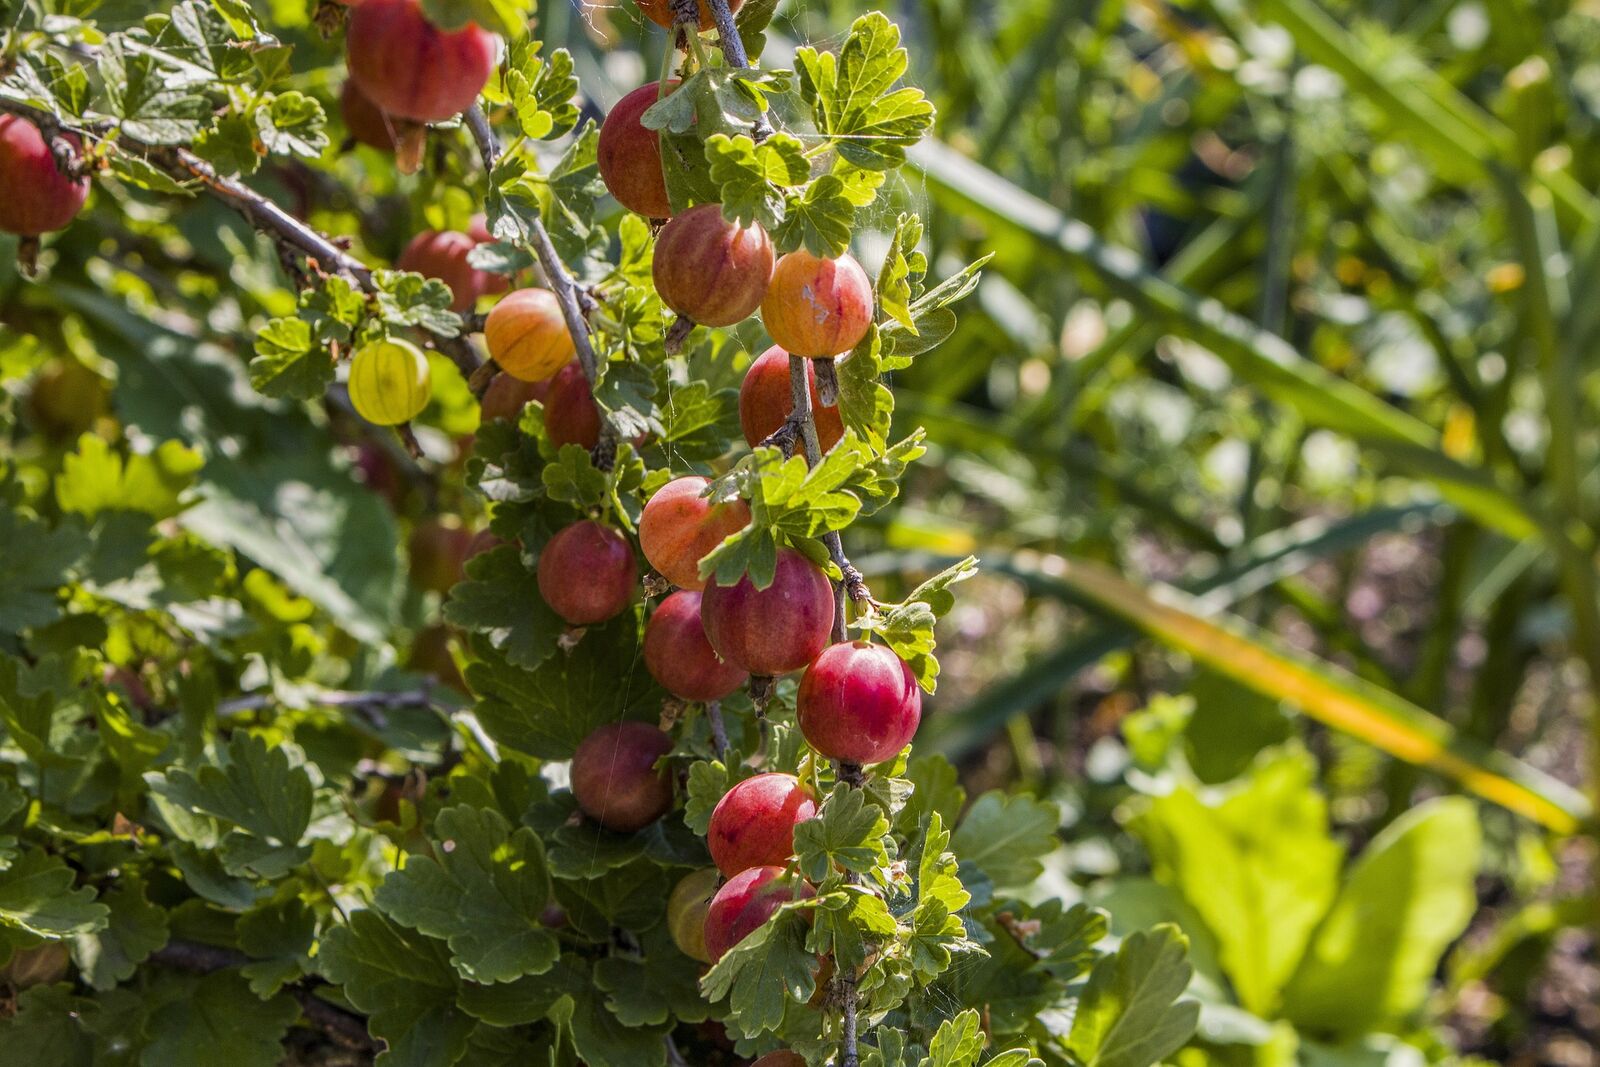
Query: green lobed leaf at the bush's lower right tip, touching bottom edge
{"x":1130,"y":1015}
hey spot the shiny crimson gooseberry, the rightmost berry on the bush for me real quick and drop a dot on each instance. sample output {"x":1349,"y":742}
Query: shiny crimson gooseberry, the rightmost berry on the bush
{"x":858,"y":703}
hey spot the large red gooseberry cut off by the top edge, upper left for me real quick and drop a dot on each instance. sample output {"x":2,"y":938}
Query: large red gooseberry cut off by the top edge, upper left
{"x":414,"y":70}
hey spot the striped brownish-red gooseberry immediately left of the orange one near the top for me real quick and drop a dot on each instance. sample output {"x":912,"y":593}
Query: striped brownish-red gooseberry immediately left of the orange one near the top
{"x":710,"y":270}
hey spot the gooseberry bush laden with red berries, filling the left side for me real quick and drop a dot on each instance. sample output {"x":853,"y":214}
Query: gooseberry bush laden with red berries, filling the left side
{"x":628,"y":775}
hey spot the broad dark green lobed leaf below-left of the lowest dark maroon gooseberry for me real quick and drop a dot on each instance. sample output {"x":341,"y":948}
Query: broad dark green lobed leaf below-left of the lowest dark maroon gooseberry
{"x":484,"y":895}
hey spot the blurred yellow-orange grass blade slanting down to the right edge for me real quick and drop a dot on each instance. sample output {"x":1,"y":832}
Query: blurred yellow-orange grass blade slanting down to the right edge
{"x":1327,"y":693}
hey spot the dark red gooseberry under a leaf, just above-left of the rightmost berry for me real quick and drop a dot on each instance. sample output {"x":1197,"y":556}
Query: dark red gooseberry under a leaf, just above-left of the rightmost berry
{"x":777,"y":629}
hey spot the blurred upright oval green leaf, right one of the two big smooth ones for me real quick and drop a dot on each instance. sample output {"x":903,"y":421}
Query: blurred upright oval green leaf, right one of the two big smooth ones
{"x":1406,"y":903}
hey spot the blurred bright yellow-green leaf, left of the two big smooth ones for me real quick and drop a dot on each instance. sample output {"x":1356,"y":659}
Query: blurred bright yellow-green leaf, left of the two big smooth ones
{"x":1258,"y":866}
